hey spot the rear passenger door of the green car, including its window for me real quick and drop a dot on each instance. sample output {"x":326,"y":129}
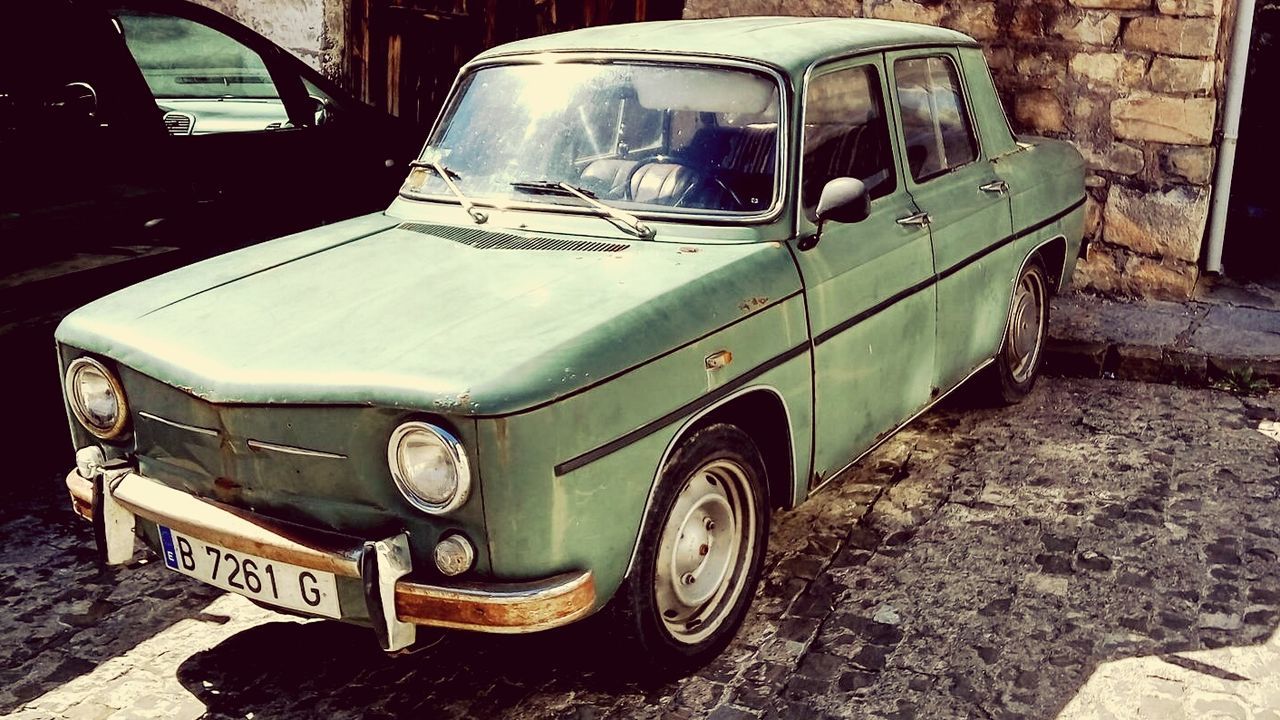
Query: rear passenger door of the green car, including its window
{"x":967,"y":207}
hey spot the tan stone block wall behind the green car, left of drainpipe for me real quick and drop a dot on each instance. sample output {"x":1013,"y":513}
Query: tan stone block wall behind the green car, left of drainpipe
{"x":1135,"y":84}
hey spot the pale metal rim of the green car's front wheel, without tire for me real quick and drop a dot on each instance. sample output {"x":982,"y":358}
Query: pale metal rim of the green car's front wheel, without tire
{"x":705,"y":552}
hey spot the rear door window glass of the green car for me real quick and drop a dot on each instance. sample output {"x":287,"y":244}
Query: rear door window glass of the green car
{"x":935,"y":120}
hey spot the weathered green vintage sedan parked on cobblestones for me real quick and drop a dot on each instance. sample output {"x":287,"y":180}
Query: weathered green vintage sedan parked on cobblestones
{"x":646,"y":286}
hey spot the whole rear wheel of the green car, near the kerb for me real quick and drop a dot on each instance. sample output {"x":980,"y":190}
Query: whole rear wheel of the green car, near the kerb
{"x":1022,"y":352}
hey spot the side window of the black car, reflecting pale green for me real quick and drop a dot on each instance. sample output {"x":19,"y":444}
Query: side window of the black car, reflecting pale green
{"x":204,"y":80}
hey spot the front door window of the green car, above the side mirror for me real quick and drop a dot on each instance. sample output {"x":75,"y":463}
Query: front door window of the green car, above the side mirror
{"x":845,"y":135}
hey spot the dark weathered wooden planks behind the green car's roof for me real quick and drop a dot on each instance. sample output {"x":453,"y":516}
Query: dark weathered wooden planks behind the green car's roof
{"x":404,"y":54}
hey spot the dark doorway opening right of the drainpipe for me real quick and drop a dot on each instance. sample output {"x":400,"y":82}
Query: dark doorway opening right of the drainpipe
{"x":1251,"y":249}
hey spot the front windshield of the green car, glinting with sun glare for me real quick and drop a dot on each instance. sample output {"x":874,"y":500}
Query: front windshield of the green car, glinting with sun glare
{"x":638,"y":136}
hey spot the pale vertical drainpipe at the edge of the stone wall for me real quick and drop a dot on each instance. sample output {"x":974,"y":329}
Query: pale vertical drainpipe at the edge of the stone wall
{"x":1241,"y":40}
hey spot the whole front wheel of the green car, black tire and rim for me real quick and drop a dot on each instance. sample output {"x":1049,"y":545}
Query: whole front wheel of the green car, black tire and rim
{"x":702,"y":552}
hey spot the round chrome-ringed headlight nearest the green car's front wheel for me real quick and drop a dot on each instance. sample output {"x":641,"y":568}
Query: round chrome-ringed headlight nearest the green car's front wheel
{"x":429,"y":467}
